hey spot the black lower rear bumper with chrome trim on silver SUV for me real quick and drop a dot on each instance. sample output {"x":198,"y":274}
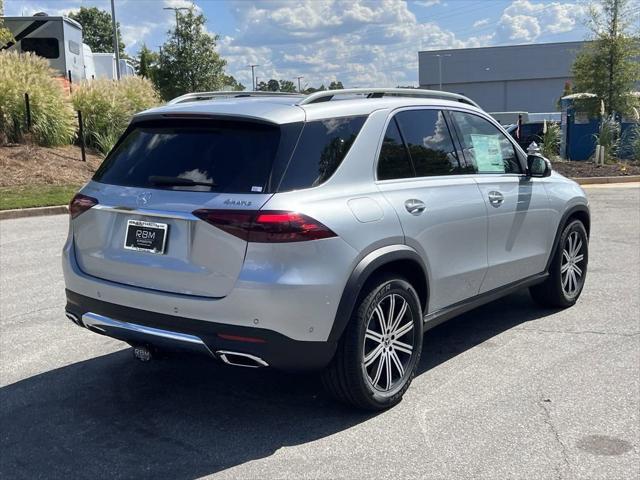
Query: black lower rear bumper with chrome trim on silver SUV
{"x":150,"y":328}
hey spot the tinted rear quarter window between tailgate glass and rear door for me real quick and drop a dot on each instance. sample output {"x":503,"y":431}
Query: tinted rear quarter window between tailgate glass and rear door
{"x":322,"y":146}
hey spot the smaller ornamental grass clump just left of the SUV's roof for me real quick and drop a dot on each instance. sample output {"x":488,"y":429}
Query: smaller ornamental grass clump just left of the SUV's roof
{"x":107,"y":107}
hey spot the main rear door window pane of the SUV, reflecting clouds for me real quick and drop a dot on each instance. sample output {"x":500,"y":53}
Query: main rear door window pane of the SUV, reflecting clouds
{"x":429,"y":142}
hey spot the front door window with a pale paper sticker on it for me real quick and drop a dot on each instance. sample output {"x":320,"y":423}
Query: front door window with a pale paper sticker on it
{"x":485,"y":146}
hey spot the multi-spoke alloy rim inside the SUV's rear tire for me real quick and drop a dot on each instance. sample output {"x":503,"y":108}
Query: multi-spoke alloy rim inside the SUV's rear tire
{"x":389,"y":343}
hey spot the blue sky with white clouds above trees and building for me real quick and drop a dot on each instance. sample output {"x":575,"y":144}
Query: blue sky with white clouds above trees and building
{"x":359,"y":42}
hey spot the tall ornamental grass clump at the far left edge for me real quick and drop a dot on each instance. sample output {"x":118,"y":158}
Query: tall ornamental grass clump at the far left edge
{"x":52,"y":118}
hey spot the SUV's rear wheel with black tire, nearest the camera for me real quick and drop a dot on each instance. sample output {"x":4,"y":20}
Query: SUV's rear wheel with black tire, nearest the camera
{"x":346,"y":378}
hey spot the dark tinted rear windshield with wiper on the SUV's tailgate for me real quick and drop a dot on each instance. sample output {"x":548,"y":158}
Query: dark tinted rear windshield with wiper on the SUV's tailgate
{"x":224,"y":156}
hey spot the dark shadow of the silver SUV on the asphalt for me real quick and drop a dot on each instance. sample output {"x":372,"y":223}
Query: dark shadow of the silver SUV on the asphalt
{"x":189,"y":417}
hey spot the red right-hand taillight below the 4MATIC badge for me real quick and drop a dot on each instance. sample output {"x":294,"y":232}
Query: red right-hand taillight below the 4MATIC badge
{"x":266,"y":226}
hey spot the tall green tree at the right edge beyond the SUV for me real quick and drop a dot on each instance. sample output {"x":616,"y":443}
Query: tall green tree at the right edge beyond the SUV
{"x":608,"y":66}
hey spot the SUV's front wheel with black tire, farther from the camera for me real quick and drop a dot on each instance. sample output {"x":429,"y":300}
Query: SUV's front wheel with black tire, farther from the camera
{"x":551,"y":293}
